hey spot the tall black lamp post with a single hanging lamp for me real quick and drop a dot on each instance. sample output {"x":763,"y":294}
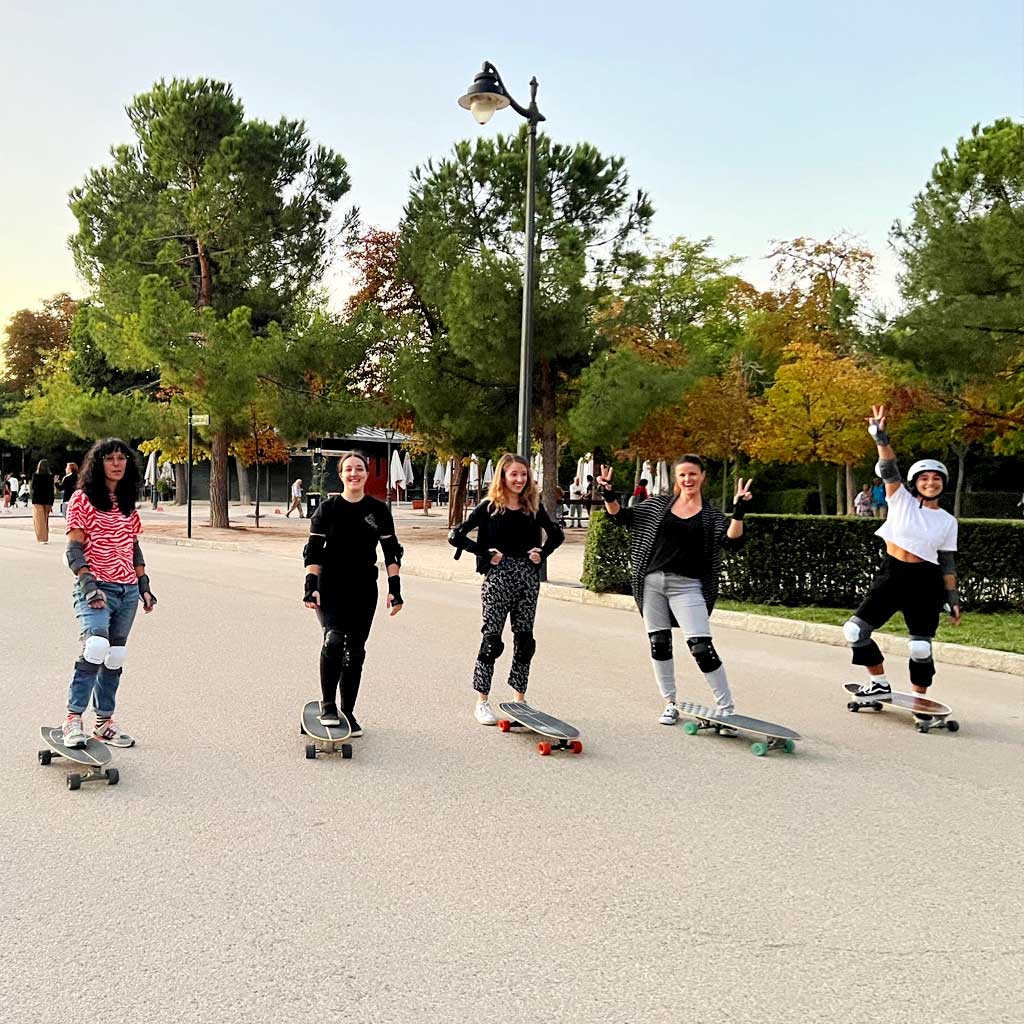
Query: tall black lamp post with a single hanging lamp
{"x":487,"y":95}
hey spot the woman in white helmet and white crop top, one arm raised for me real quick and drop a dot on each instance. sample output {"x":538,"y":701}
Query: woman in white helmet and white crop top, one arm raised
{"x":919,"y":572}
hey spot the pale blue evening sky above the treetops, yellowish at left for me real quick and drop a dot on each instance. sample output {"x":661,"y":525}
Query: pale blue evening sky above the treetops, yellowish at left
{"x":746,"y":122}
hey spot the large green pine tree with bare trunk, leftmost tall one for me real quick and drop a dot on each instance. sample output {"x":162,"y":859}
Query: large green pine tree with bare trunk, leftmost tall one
{"x":228,"y":217}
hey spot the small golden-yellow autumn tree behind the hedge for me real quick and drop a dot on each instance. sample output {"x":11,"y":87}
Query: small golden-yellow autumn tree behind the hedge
{"x":815,"y":412}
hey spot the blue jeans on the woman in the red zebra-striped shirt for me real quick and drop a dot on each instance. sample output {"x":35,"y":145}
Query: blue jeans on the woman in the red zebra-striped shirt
{"x":114,"y":623}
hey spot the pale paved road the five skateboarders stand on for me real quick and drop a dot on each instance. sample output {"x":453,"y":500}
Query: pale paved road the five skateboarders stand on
{"x":448,"y":873}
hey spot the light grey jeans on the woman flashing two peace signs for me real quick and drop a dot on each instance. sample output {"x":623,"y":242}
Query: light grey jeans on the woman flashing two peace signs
{"x":667,"y":595}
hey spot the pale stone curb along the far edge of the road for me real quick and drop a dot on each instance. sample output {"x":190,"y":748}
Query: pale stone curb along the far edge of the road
{"x":946,"y":654}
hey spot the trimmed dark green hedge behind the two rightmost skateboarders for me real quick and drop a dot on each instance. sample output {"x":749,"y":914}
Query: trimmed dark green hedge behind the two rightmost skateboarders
{"x":827,"y":561}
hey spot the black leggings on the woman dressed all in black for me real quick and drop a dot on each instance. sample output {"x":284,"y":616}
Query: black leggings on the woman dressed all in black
{"x":347,"y":617}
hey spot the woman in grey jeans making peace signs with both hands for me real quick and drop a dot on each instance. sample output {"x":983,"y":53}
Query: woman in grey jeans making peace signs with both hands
{"x":675,"y":562}
